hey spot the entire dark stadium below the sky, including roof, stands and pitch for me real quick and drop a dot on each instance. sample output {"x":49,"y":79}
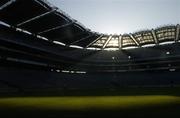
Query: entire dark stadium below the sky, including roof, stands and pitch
{"x":53,"y":66}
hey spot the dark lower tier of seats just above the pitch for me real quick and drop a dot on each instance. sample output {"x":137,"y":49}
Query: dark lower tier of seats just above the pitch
{"x":33,"y":79}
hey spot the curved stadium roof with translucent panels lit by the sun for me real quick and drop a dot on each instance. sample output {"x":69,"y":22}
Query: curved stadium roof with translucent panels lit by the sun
{"x":41,"y":19}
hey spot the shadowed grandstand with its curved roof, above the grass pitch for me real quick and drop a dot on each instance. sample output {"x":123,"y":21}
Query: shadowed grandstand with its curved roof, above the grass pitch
{"x":43,"y":51}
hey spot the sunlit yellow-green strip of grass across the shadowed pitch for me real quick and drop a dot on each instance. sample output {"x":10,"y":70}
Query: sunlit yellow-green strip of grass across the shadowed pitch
{"x":84,"y":102}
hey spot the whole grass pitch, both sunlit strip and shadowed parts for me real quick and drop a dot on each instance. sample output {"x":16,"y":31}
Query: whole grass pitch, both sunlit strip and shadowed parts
{"x":147,"y":104}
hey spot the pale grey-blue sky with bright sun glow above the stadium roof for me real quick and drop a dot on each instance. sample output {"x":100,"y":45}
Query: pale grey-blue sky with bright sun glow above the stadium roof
{"x":121,"y":16}
